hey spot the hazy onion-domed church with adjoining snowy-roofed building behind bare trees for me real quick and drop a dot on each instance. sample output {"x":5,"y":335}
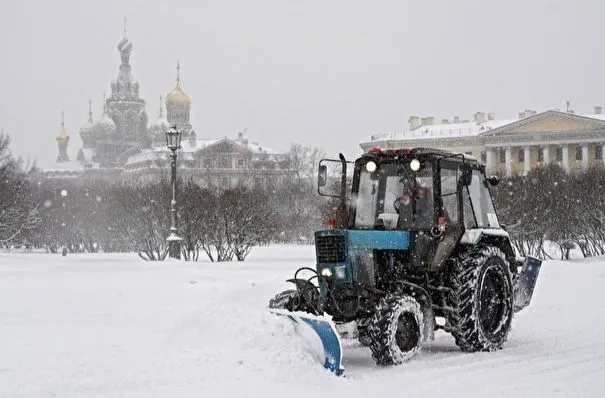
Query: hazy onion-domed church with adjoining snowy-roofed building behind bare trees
{"x":120,"y":146}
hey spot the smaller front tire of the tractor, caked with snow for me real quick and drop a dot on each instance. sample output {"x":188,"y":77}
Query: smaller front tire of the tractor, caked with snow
{"x":396,"y":330}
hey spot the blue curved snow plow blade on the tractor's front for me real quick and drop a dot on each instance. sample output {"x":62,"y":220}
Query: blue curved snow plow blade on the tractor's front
{"x":324,"y":329}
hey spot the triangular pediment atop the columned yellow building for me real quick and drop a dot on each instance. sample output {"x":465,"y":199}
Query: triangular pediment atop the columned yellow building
{"x":550,"y":122}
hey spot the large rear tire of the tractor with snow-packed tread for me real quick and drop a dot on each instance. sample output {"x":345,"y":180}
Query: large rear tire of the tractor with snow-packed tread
{"x":482,"y":300}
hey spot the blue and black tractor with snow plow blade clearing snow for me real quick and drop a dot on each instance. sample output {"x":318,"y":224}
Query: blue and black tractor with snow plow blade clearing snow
{"x":416,"y":247}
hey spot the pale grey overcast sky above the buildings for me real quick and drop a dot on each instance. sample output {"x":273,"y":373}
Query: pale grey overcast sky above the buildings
{"x":327,"y":73}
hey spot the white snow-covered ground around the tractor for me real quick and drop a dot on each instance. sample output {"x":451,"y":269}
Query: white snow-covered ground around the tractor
{"x":116,"y":326}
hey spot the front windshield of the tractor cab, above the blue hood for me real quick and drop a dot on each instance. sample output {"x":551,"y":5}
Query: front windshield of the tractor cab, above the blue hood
{"x":394,"y":197}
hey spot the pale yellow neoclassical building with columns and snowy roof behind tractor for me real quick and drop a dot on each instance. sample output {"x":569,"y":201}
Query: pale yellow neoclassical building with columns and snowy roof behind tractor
{"x":510,"y":146}
